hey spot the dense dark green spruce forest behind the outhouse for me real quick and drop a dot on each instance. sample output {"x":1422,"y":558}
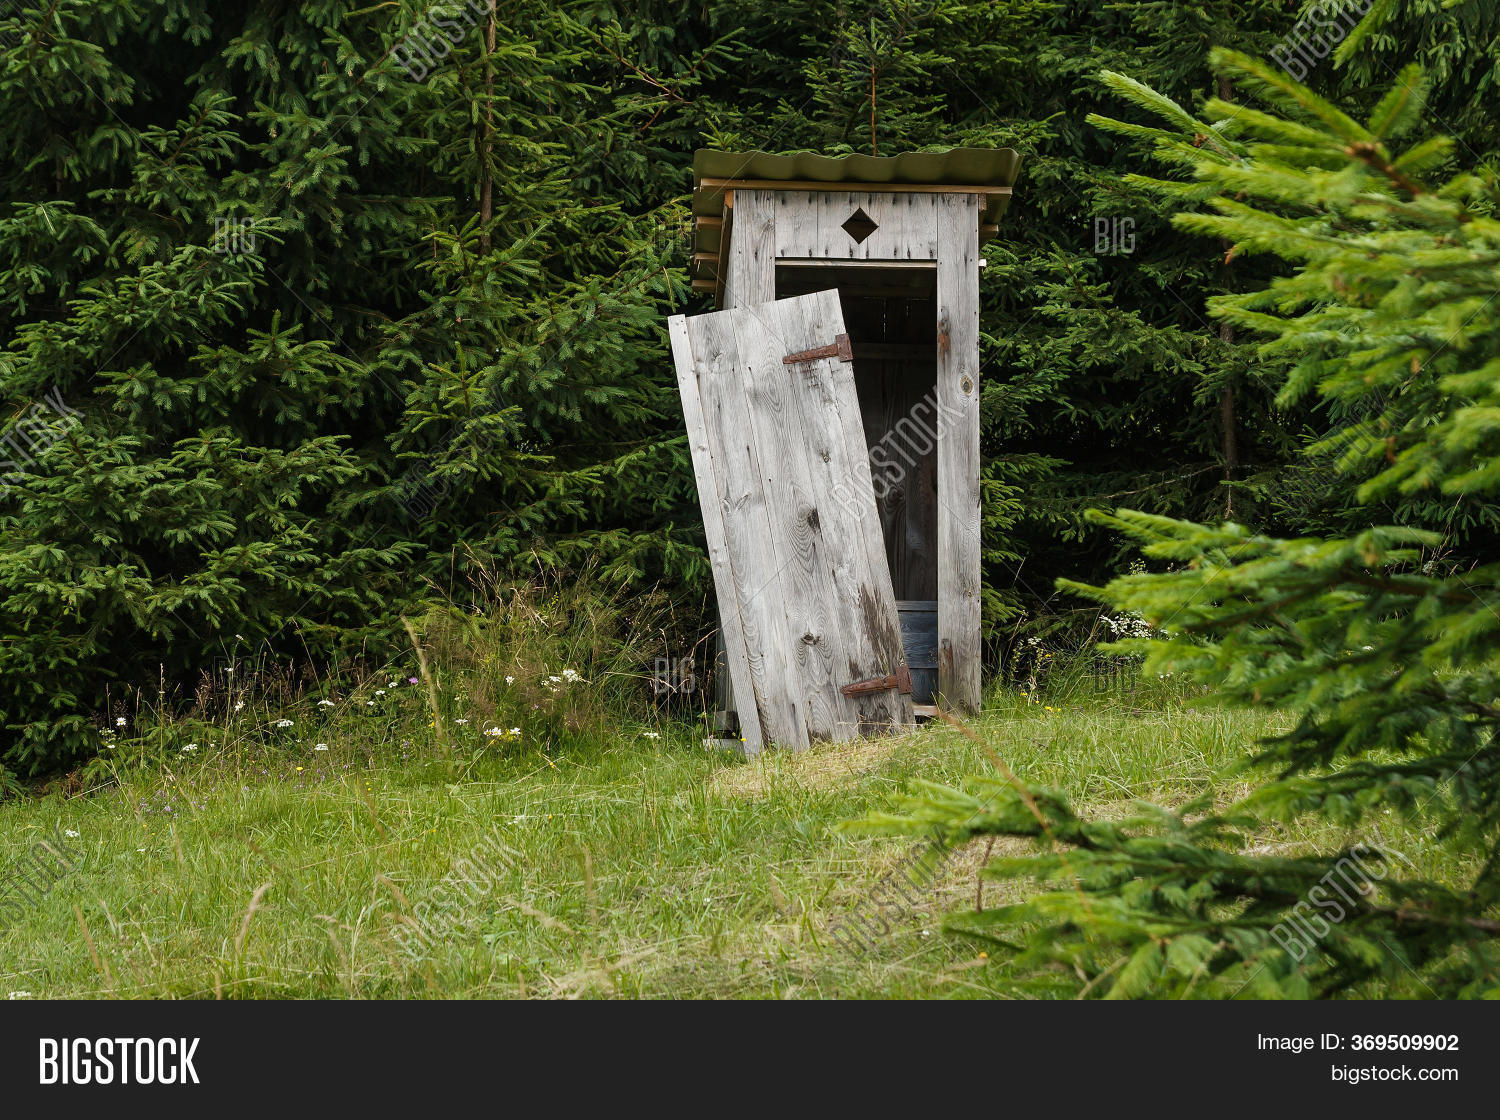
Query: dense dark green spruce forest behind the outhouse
{"x":304,"y":329}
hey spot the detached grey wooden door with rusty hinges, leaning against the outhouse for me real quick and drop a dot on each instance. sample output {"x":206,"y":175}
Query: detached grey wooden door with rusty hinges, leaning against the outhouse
{"x":784,"y":478}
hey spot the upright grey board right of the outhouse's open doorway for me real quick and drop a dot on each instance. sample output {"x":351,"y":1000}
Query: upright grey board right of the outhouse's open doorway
{"x":959,"y":452}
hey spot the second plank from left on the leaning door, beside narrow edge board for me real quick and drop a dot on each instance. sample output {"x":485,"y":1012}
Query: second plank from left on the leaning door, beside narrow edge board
{"x":755,"y":573}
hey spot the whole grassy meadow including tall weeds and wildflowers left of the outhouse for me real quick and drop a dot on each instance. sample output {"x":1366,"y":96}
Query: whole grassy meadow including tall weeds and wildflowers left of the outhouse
{"x":277,"y":842}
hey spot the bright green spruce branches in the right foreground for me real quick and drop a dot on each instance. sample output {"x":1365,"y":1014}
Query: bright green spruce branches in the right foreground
{"x":1382,"y":650}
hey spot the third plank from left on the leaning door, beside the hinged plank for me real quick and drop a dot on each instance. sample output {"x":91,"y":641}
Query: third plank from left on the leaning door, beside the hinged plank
{"x":814,"y":639}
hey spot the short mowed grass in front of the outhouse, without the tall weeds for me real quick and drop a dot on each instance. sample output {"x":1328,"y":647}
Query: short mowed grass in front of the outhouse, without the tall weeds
{"x":644,"y":867}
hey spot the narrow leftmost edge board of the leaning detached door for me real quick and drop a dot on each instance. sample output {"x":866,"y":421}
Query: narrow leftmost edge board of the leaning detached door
{"x":710,"y":499}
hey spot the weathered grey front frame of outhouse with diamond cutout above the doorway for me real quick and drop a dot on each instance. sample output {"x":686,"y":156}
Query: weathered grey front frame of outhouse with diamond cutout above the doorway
{"x":916,"y":229}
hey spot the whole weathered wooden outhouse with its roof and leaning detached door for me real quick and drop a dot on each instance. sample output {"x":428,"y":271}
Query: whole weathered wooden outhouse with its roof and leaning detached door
{"x":833,"y":410}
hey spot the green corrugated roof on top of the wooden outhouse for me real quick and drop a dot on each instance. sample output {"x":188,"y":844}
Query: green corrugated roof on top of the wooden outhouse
{"x":956,"y":167}
